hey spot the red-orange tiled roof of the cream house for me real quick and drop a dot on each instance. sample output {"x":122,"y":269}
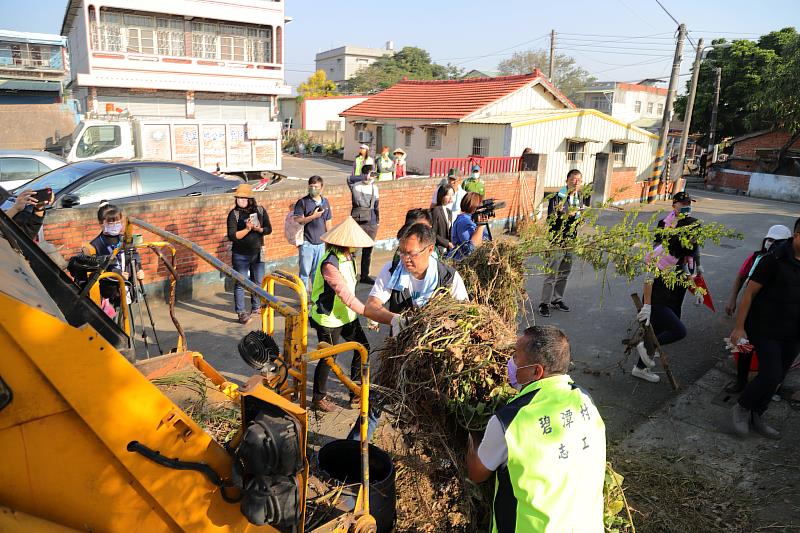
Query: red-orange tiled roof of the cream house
{"x":443,"y":99}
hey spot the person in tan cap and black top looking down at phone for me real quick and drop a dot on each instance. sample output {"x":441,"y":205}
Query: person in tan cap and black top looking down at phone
{"x":248,"y":222}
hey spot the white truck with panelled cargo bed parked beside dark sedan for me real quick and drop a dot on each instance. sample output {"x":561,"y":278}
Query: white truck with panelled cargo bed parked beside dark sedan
{"x":244,"y":148}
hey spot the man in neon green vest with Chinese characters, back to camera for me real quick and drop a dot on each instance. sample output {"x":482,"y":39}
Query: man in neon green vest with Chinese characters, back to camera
{"x":547,"y":445}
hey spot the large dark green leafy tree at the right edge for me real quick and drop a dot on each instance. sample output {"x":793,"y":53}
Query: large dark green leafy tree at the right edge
{"x":758,"y":88}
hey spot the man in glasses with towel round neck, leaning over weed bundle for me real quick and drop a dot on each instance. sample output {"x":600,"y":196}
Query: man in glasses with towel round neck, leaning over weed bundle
{"x":411,"y":279}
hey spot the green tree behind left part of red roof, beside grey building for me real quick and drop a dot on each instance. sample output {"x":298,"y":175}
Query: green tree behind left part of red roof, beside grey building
{"x":410,"y":62}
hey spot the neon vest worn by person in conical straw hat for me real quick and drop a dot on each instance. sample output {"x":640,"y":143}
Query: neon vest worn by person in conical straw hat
{"x":327,"y":309}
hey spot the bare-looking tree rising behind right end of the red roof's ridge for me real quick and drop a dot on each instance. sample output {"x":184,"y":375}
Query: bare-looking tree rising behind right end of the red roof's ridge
{"x":567,"y":76}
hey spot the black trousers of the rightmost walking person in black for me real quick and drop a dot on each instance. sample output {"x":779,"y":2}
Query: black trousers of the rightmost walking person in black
{"x":775,"y":357}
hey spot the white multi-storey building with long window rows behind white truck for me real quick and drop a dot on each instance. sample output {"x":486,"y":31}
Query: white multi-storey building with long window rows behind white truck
{"x":204,"y":59}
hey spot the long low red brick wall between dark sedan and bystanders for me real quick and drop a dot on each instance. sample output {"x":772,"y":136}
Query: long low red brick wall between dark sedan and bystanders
{"x":202,"y":219}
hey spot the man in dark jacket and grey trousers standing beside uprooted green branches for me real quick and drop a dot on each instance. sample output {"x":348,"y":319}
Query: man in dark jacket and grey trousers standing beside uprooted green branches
{"x":563,"y":216}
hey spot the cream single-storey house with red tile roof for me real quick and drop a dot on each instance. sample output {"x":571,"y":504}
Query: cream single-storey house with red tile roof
{"x":492,"y":117}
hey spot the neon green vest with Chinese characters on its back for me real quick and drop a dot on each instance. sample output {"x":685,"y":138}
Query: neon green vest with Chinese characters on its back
{"x":553,"y":479}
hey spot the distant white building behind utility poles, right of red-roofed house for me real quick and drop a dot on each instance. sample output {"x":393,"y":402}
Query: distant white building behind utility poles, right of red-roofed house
{"x":640,"y":103}
